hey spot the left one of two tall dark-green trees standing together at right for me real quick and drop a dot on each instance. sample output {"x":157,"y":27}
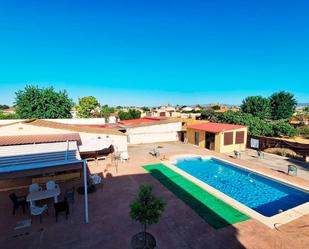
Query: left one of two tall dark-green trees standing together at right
{"x":258,"y":106}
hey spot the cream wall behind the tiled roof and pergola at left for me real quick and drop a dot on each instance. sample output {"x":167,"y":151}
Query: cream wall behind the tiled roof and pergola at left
{"x":27,"y":129}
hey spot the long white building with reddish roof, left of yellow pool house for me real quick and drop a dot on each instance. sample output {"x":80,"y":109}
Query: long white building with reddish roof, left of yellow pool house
{"x":150,"y":130}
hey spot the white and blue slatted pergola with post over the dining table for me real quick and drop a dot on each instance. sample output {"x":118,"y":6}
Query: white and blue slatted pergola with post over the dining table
{"x":37,"y":159}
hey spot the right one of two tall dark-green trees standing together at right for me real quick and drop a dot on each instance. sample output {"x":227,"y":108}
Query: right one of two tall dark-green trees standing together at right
{"x":282,"y":105}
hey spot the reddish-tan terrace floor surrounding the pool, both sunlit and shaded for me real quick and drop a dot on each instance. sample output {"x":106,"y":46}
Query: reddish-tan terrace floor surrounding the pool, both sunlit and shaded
{"x":110,"y":226}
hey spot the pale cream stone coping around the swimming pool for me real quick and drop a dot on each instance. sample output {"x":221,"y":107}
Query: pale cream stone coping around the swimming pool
{"x":273,"y":221}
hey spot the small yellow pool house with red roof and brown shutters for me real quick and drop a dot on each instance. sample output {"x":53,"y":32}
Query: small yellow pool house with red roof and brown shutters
{"x":218,"y":137}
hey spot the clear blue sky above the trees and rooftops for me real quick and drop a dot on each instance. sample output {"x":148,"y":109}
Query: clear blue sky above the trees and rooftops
{"x":156,"y":52}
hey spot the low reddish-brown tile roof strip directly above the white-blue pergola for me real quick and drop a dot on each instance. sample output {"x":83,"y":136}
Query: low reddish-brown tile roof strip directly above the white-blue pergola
{"x":46,"y":138}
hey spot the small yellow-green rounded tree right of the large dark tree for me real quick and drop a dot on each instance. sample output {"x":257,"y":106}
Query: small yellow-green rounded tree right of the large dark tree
{"x":88,"y":107}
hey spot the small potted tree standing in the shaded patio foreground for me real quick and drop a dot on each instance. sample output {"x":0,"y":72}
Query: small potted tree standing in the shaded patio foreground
{"x":146,"y":209}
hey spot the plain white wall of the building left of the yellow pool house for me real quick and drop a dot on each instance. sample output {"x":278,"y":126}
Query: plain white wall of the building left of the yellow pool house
{"x":154,"y":133}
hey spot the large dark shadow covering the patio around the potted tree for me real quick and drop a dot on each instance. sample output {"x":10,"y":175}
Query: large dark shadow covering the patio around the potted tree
{"x":110,"y":226}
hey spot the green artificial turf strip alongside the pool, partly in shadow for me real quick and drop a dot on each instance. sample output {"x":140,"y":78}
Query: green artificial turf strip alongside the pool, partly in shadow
{"x":213,"y":210}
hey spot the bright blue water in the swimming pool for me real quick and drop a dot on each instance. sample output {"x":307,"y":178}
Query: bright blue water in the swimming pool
{"x":266,"y":196}
